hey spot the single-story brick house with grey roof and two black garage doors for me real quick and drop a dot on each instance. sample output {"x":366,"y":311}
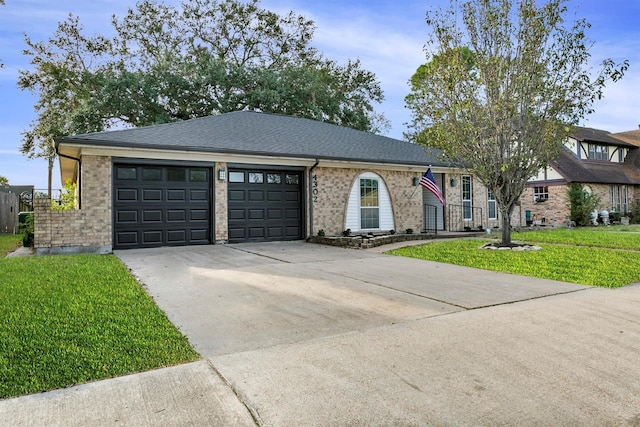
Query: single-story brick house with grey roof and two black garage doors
{"x":249,"y":176}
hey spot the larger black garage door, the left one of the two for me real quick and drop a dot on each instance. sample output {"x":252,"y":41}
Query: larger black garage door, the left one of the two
{"x":161,"y":206}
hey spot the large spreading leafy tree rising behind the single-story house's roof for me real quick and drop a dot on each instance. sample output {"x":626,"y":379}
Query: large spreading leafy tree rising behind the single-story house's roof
{"x":167,"y":64}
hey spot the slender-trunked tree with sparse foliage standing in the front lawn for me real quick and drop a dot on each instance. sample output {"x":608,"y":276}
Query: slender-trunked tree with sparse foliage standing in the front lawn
{"x":501,"y":90}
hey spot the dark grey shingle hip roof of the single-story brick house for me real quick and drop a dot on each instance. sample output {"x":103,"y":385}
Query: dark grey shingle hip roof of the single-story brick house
{"x":253,"y":133}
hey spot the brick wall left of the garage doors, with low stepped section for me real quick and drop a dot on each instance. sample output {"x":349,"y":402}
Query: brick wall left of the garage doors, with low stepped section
{"x":88,"y":228}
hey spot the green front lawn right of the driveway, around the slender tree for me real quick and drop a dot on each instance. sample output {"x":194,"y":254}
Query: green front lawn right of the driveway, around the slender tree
{"x":576,"y":258}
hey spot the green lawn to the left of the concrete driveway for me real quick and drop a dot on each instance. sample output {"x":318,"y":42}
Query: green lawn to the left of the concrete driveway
{"x":66,"y":320}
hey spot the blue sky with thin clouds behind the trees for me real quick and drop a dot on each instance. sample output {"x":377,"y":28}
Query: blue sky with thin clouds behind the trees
{"x":386,"y":35}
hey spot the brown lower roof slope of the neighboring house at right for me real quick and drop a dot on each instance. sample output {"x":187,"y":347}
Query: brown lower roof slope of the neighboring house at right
{"x":575,"y":170}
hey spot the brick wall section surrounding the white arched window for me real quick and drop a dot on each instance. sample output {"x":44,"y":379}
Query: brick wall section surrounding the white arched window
{"x":330,"y":194}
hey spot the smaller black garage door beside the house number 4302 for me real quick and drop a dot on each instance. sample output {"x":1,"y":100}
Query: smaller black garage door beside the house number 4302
{"x":264,"y":205}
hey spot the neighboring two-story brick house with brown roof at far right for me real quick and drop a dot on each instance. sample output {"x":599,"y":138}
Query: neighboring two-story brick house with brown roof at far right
{"x":605,"y":164}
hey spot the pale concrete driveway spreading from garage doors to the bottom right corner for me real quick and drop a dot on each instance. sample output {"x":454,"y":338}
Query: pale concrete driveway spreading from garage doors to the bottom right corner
{"x":312,"y":335}
